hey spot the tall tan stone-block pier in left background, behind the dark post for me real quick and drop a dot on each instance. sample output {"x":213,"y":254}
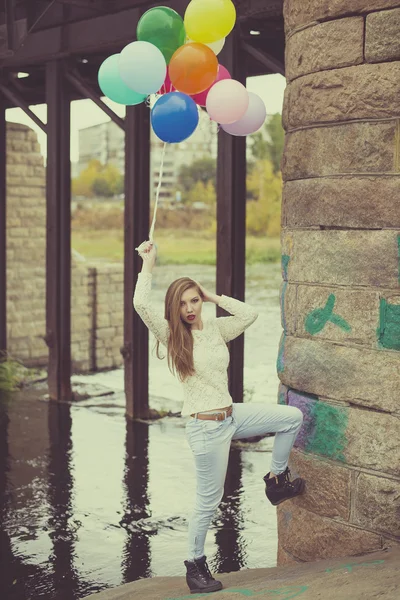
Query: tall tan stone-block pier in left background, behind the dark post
{"x":26,"y":259}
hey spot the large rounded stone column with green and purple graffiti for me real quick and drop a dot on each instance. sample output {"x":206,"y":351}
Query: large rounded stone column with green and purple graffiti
{"x":339,"y":359}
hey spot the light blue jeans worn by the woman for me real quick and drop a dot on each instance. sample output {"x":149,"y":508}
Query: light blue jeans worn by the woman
{"x":210,"y":443}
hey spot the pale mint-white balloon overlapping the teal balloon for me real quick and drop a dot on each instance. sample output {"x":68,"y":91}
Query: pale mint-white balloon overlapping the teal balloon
{"x":142,"y":67}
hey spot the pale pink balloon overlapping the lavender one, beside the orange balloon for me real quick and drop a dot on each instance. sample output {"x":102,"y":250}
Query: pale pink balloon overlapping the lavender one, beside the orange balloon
{"x":227,"y":101}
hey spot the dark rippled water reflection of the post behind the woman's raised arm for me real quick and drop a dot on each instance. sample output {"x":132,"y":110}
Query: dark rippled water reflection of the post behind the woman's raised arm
{"x":136,"y":557}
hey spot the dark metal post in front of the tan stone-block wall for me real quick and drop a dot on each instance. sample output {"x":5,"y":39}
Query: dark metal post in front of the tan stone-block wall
{"x":58,"y":250}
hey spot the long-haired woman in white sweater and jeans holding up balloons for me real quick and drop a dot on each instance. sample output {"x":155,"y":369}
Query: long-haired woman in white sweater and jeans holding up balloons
{"x":198,"y":354}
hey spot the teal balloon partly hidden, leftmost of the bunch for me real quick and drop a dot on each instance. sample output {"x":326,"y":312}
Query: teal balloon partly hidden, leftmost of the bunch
{"x":113,"y":87}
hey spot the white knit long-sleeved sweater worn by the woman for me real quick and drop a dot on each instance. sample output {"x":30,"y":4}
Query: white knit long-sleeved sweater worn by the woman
{"x":208,"y":387}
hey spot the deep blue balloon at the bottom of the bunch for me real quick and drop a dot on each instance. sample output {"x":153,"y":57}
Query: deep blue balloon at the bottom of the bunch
{"x":174,"y":117}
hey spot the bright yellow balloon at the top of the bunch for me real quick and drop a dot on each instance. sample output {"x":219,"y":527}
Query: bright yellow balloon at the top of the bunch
{"x":208,"y":21}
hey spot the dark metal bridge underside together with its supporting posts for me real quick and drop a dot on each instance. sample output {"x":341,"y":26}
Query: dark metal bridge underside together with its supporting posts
{"x":60,"y":45}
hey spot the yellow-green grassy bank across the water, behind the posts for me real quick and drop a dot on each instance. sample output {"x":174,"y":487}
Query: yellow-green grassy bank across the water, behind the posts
{"x":174,"y":247}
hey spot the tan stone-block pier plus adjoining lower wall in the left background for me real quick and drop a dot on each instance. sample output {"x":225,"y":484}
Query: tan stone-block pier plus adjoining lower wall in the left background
{"x":97,"y":291}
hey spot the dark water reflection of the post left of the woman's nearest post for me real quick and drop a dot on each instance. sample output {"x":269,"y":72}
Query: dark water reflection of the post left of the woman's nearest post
{"x":60,"y":490}
